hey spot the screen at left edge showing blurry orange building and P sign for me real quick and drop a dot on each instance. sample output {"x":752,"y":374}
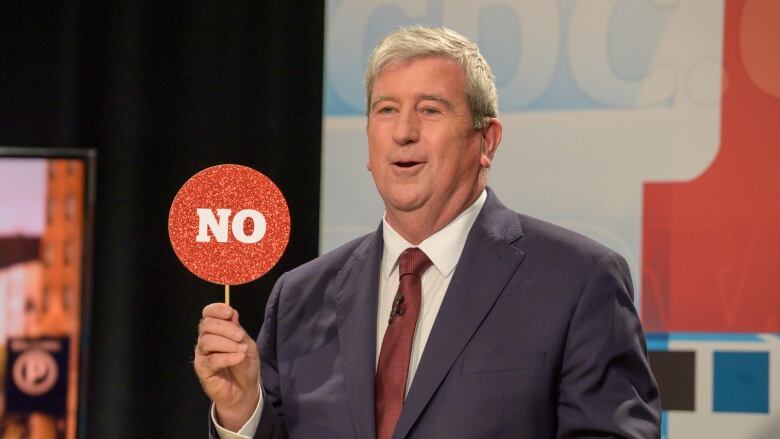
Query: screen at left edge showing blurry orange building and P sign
{"x":45,"y":253}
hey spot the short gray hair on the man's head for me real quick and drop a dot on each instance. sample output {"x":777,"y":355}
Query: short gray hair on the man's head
{"x":413,"y":42}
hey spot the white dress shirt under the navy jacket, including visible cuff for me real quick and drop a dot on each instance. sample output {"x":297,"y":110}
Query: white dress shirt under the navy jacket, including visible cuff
{"x":443,"y":248}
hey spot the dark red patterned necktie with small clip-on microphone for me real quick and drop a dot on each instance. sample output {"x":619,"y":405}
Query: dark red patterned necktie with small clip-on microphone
{"x":393,"y":368}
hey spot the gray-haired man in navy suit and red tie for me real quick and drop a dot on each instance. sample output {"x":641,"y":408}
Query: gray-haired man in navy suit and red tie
{"x":457,"y":318}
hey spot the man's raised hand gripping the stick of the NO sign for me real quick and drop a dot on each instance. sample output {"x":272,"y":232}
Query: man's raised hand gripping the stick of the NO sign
{"x":227,"y":365}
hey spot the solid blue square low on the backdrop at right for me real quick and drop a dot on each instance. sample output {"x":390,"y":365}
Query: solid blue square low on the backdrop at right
{"x":741,"y":382}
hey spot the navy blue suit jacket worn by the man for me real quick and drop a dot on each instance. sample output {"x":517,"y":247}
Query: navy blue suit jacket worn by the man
{"x":537,"y":337}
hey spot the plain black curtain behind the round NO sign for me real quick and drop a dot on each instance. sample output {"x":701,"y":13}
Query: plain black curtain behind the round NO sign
{"x":163,"y":91}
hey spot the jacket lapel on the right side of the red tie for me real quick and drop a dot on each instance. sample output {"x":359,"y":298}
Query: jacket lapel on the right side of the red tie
{"x":485,"y":266}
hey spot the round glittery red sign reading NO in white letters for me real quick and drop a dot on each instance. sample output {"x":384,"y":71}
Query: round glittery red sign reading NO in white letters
{"x":229,"y":224}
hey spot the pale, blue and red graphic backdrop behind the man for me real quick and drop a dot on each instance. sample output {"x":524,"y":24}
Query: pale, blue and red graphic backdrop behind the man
{"x":648,"y":125}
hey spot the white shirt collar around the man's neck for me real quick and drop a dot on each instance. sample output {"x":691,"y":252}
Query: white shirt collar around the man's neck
{"x":443,"y":248}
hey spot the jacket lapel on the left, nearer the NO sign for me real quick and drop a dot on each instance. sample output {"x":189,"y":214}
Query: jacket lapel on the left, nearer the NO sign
{"x":355,"y":296}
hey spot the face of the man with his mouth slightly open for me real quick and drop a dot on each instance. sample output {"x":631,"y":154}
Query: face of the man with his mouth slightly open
{"x":424,"y":152}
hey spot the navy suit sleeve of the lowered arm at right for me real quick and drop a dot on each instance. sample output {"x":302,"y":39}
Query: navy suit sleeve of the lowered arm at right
{"x":606,"y":387}
